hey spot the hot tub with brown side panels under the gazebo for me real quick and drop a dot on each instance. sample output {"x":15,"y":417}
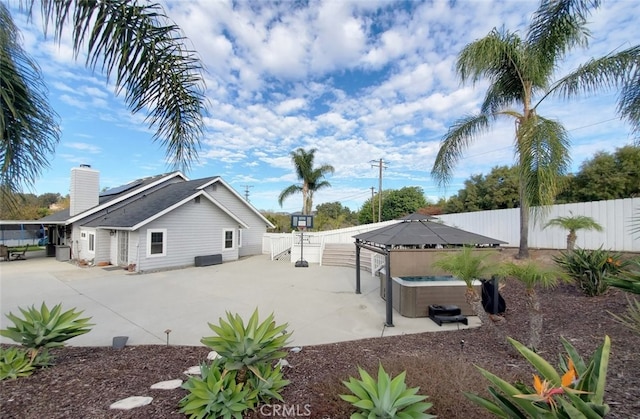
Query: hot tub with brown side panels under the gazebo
{"x":413,"y":295}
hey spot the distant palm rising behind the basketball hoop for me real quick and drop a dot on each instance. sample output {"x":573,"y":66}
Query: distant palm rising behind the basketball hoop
{"x":312,"y":178}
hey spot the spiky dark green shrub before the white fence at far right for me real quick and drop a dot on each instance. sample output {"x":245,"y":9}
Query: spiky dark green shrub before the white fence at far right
{"x":591,"y":268}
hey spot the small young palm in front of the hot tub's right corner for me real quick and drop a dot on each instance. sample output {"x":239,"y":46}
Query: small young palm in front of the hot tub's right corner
{"x":468,"y":266}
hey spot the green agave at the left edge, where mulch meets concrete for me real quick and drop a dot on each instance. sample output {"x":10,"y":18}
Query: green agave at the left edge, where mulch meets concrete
{"x":45,"y":328}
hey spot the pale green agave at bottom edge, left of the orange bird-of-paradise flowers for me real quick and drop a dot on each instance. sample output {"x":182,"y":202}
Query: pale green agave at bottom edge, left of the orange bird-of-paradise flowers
{"x":385,"y":398}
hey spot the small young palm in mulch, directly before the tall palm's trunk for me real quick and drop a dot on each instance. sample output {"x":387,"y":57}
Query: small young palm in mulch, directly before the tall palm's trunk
{"x":532,"y":276}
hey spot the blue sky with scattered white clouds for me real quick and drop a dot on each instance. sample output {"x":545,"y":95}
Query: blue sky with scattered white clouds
{"x":358,"y":80}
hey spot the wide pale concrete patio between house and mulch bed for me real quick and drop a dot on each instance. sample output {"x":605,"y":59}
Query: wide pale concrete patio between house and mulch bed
{"x":318,"y":302}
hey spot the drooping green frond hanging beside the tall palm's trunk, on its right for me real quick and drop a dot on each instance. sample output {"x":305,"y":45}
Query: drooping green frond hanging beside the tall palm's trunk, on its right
{"x":543,"y":149}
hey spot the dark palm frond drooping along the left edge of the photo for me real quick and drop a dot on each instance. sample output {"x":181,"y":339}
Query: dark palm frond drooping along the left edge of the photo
{"x":29,"y":130}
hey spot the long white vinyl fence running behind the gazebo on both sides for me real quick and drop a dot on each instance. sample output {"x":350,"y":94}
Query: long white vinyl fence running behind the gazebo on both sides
{"x":615,"y":216}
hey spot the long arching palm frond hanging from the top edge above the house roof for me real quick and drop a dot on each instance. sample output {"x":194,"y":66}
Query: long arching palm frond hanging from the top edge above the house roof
{"x":150,"y":60}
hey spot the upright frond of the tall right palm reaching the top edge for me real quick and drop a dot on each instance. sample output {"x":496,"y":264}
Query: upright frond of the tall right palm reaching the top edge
{"x":557,"y":27}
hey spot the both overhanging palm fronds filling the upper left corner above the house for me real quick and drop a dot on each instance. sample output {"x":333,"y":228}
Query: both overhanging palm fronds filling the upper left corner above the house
{"x":137,"y":44}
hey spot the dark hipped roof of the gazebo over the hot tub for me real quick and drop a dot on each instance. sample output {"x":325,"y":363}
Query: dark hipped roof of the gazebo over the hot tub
{"x":417,"y":230}
